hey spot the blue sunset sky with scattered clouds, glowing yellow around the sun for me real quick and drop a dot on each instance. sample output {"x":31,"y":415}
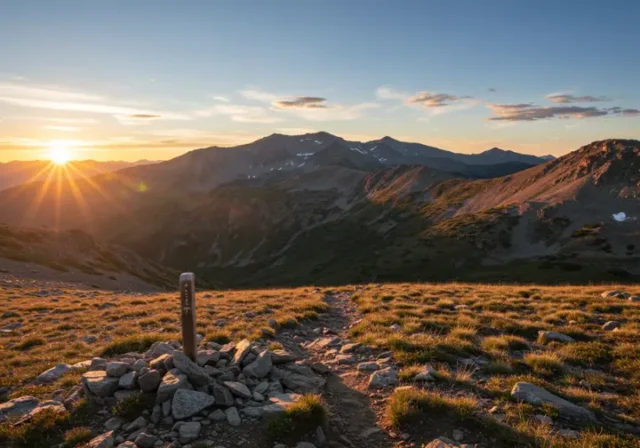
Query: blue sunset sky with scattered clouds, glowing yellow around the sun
{"x":152,"y":79}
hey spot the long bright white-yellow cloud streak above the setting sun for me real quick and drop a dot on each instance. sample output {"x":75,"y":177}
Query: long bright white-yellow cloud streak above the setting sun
{"x":56,"y":98}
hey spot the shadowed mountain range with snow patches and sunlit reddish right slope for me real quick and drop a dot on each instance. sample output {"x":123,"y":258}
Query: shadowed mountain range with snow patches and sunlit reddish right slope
{"x":316,"y":208}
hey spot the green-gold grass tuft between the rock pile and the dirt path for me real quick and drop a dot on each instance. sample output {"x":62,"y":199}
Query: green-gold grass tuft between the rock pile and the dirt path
{"x":300,"y":418}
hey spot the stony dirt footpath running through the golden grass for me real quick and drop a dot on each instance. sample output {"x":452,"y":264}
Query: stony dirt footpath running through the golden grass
{"x":355,"y":412}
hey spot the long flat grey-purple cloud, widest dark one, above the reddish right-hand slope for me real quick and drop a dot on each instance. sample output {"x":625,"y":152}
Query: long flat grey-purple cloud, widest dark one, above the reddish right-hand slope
{"x":531,"y":112}
